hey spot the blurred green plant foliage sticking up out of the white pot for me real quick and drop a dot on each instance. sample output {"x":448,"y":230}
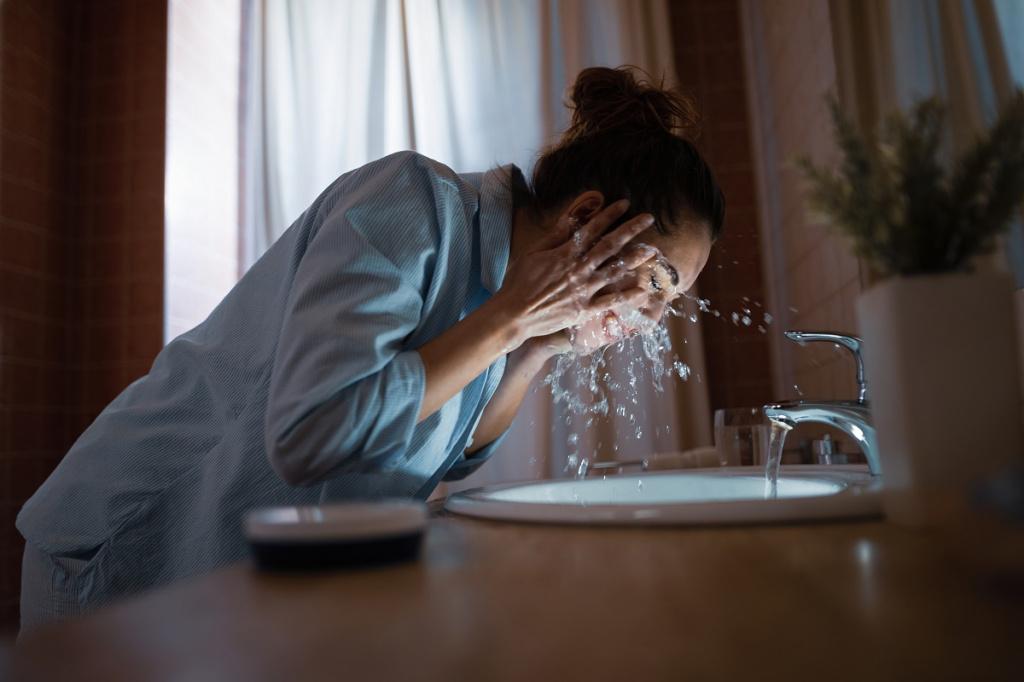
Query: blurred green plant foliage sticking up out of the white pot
{"x":905,"y":210}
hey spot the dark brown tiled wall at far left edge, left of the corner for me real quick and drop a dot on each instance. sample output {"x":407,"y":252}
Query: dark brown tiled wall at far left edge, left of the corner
{"x":33,"y":280}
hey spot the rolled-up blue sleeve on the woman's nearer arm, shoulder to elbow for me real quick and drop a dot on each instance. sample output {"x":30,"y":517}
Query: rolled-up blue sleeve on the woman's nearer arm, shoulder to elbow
{"x":346,"y":393}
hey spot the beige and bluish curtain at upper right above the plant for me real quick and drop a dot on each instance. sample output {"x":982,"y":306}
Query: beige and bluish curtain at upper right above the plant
{"x":891,"y":53}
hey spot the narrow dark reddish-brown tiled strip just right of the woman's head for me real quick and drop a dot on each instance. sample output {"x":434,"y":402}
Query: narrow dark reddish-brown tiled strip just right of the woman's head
{"x":710,"y":67}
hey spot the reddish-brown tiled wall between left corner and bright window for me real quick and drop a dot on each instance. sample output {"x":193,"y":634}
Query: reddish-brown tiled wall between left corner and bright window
{"x":118,"y":180}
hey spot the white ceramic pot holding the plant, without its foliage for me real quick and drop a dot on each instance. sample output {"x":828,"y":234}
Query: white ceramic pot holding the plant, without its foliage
{"x":942,"y":358}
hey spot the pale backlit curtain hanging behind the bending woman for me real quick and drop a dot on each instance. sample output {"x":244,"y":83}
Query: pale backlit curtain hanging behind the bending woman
{"x":329,"y":87}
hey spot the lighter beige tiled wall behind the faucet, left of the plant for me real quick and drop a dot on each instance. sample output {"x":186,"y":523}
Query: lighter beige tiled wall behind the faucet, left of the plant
{"x":812,"y":277}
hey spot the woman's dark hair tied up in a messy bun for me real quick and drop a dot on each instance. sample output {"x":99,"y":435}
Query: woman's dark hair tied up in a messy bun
{"x":629,"y":140}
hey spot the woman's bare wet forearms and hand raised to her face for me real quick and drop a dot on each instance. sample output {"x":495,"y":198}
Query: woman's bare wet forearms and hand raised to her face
{"x":566,"y":280}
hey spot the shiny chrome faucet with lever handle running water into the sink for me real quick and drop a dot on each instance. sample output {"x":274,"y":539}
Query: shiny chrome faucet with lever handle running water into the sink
{"x":850,"y":417}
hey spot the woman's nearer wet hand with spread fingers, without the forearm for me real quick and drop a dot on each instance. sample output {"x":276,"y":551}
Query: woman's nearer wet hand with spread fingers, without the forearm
{"x":557,"y":286}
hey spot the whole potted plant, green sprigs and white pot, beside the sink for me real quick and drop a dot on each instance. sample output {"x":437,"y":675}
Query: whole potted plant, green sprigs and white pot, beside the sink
{"x":940,"y":332}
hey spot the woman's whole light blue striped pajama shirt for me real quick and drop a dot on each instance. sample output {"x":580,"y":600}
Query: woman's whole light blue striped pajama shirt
{"x":303,"y":387}
